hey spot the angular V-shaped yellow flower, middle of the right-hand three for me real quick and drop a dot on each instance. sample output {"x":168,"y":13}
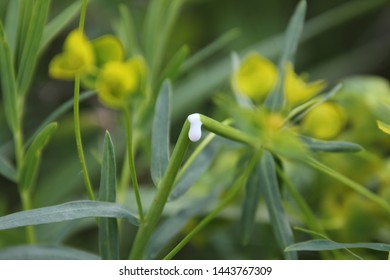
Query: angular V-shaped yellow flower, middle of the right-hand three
{"x":296,"y":90}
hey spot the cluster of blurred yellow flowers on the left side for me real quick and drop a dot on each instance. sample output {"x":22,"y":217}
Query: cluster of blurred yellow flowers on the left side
{"x":101,"y":65}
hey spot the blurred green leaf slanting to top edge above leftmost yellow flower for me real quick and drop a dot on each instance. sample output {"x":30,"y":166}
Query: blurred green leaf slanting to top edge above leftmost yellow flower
{"x":57,"y":24}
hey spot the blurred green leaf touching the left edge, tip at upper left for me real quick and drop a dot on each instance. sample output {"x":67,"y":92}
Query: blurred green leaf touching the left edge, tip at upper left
{"x":8,"y":82}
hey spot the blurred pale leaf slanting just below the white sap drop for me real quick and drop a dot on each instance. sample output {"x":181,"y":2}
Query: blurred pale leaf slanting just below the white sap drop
{"x":198,"y":167}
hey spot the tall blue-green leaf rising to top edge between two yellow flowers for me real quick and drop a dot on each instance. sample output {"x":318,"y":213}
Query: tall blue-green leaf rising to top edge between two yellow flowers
{"x":275,"y":99}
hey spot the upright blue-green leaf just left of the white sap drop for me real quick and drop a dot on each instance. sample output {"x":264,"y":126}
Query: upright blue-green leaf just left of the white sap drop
{"x":160,"y":133}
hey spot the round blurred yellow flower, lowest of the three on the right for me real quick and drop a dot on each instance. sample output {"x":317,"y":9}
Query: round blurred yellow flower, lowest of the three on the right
{"x":324,"y":122}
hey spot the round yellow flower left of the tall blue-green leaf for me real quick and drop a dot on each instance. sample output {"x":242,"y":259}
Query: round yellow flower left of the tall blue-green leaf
{"x":255,"y":77}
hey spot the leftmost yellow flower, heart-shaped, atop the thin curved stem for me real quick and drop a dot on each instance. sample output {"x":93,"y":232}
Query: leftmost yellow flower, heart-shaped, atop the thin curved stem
{"x":78,"y":58}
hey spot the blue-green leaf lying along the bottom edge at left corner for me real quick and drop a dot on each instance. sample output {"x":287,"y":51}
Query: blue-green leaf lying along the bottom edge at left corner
{"x":42,"y":252}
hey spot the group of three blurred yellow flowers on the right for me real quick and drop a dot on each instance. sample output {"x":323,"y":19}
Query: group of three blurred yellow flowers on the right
{"x":256,"y":77}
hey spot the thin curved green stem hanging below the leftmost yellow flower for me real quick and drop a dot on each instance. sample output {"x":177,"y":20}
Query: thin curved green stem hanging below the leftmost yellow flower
{"x":79,"y":143}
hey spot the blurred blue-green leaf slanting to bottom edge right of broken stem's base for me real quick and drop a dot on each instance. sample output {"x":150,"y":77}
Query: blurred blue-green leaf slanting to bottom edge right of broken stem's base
{"x":171,"y":227}
